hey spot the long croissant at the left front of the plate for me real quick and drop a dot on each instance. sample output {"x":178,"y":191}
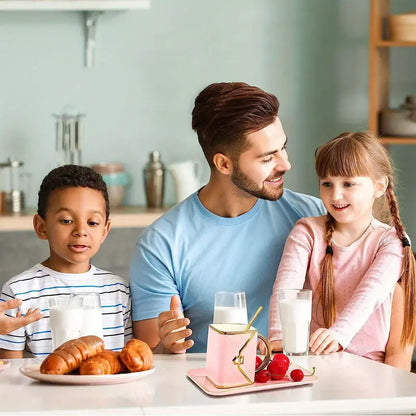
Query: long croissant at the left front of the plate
{"x":69,"y":356}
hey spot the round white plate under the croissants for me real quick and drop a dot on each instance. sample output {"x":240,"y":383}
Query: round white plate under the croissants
{"x":32,"y":371}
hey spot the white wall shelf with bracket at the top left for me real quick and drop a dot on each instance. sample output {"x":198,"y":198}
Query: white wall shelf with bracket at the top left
{"x":92,"y":9}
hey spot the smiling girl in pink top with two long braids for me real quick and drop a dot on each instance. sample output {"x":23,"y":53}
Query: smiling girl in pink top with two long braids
{"x":360,"y":269}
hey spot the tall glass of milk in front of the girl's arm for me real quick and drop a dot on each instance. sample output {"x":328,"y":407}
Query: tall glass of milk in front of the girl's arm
{"x":295,"y":309}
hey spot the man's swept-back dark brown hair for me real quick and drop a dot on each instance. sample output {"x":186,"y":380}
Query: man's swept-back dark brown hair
{"x":224,"y":113}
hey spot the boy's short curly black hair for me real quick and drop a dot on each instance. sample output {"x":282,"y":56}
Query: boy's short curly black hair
{"x":69,"y":176}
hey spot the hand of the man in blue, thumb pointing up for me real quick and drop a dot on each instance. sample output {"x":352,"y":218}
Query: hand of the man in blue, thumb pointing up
{"x":172,"y":328}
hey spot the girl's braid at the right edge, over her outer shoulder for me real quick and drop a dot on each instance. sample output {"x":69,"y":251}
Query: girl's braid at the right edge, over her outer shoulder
{"x":408,"y":273}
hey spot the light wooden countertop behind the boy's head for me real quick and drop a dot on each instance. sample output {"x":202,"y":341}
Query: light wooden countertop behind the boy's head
{"x":125,"y":217}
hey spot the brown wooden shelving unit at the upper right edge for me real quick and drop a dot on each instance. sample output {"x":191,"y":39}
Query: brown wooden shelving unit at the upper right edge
{"x":379,"y":68}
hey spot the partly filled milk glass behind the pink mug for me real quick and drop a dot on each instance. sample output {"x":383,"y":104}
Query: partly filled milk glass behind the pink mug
{"x":230,"y":308}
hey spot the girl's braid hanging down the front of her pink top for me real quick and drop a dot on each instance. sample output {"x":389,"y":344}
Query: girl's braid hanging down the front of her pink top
{"x":327,"y":277}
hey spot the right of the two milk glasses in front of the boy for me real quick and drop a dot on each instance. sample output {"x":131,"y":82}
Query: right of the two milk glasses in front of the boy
{"x":91,"y":314}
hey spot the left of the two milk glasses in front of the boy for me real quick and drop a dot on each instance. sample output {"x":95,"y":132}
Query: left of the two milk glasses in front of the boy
{"x":65,"y":316}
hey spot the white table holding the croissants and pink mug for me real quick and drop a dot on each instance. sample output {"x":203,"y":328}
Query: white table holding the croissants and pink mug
{"x":346,"y":384}
